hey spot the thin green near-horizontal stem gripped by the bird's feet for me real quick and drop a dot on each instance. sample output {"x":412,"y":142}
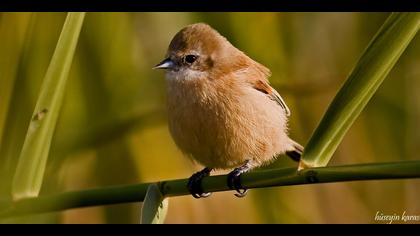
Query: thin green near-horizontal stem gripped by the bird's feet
{"x":259,"y":179}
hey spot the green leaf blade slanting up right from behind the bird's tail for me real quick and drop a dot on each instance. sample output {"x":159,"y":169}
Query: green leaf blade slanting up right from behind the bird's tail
{"x":374,"y":65}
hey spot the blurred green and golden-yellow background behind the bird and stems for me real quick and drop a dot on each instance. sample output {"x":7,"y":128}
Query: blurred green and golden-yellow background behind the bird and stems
{"x":112,"y":129}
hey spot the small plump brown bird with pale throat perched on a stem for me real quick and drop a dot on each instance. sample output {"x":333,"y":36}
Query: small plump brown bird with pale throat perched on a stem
{"x":222,"y":111}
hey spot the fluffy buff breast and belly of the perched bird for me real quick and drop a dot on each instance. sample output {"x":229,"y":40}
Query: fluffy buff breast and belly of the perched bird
{"x":225,"y":132}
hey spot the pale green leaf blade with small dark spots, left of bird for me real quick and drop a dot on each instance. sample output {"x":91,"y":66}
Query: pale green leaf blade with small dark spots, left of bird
{"x":33,"y":157}
